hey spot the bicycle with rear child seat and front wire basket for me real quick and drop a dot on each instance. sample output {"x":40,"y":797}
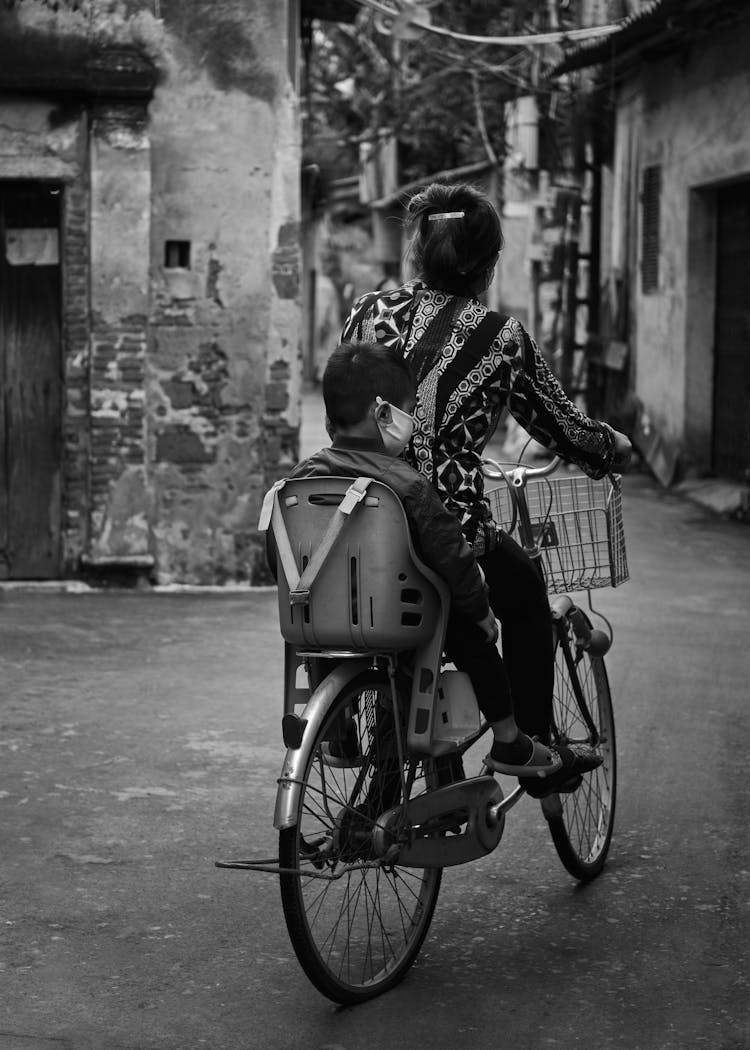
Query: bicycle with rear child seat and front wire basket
{"x":373,"y":801}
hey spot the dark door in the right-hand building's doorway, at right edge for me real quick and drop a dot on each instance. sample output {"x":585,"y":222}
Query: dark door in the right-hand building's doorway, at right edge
{"x":732,"y":381}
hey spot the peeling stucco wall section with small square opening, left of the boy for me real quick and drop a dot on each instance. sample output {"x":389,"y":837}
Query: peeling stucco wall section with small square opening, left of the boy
{"x":224,"y":329}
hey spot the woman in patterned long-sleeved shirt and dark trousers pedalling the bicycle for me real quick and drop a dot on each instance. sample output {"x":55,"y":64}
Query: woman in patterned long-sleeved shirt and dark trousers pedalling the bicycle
{"x":470,"y":364}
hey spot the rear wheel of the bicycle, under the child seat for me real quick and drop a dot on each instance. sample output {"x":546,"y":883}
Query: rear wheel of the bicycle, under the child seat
{"x":357,"y":936}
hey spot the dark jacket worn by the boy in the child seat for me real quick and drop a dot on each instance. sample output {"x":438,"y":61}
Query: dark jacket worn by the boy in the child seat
{"x":436,"y":533}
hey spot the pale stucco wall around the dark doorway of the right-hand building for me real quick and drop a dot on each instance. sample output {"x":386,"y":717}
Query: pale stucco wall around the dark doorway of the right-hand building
{"x":690,"y":116}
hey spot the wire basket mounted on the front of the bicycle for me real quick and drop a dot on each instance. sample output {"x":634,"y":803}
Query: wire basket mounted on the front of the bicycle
{"x":578,"y":527}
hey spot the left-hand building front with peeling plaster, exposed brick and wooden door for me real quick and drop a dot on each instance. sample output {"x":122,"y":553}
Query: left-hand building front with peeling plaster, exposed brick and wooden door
{"x":150,"y":214}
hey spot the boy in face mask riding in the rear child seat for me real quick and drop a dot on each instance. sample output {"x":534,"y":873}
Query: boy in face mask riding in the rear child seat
{"x":370,"y":395}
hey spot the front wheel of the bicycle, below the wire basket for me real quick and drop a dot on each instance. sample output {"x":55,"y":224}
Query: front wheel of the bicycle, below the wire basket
{"x":581,"y":823}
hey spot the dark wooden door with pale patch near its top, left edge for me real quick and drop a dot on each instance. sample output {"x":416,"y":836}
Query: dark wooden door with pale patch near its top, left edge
{"x":31,"y":382}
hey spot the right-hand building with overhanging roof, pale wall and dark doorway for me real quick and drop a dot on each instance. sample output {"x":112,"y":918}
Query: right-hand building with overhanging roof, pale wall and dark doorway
{"x":676,"y":233}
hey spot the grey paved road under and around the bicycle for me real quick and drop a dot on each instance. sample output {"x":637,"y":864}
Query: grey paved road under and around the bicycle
{"x":139,"y":740}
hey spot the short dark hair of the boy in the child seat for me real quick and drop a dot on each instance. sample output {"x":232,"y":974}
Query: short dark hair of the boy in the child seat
{"x":357,"y":374}
